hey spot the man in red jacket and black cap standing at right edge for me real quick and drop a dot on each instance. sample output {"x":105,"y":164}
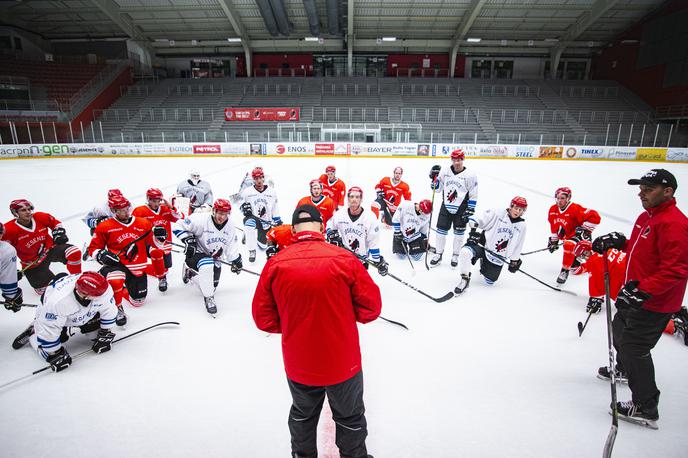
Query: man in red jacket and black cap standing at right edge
{"x":655,"y":283}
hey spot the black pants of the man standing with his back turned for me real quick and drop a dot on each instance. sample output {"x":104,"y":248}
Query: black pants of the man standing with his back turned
{"x":348,"y":413}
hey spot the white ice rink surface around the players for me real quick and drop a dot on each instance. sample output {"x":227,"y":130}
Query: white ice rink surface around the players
{"x":498,"y":371}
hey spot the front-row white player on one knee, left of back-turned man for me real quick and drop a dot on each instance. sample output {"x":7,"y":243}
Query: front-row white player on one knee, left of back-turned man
{"x":208,"y":238}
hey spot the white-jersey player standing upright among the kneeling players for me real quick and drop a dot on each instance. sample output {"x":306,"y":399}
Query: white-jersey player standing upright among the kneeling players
{"x":459,"y":188}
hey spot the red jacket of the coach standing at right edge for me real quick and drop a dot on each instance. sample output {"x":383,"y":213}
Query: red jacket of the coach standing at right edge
{"x":658,"y":256}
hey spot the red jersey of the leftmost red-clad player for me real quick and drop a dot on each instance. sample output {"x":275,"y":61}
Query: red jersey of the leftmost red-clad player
{"x":31,"y":241}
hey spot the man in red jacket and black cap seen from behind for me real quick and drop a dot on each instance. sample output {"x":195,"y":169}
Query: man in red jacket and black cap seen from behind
{"x":313,"y":293}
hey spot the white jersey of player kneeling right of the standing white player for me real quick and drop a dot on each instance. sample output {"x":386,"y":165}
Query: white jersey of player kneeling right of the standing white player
{"x":503,"y":235}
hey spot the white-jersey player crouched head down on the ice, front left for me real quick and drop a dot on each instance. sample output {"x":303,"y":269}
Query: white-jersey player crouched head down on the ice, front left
{"x":81,"y":301}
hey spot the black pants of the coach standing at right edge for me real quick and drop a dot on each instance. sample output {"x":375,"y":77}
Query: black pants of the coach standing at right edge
{"x":636,"y":332}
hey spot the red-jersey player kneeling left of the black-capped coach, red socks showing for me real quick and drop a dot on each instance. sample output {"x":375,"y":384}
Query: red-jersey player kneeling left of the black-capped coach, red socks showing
{"x":570,"y":223}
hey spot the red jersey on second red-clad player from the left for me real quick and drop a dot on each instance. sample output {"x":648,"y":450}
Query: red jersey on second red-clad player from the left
{"x":113,"y":235}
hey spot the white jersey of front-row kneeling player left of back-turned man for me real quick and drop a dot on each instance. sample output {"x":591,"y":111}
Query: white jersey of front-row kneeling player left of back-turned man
{"x":210,"y":239}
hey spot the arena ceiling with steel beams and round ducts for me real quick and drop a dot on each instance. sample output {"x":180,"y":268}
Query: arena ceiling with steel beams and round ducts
{"x":199,"y":26}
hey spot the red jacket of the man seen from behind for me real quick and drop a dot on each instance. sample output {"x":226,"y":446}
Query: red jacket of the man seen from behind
{"x":314,"y":293}
